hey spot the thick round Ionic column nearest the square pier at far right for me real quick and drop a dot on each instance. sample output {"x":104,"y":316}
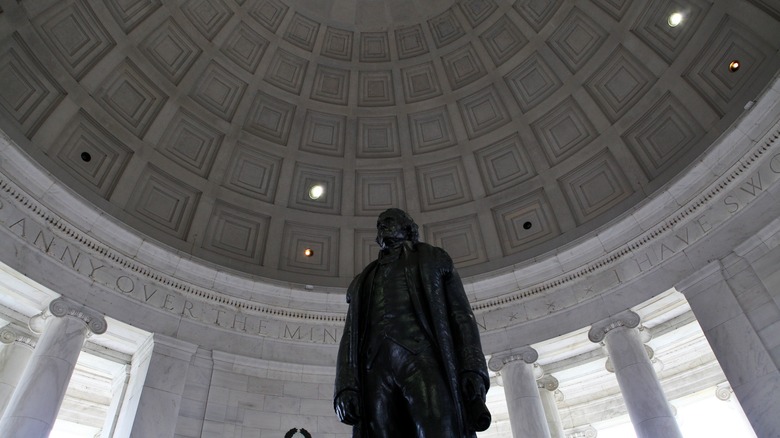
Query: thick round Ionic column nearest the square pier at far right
{"x":647,"y":406}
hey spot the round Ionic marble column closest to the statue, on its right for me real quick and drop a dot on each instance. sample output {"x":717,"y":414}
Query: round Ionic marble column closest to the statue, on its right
{"x":526,"y":413}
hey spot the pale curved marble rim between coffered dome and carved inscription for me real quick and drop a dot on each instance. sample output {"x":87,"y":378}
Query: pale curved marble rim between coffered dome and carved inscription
{"x":724,"y":155}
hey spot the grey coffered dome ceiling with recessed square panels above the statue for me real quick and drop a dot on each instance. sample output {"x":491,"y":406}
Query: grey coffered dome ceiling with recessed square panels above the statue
{"x":506,"y":129}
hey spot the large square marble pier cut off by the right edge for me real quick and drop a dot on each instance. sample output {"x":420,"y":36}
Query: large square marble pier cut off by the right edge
{"x":740,"y":318}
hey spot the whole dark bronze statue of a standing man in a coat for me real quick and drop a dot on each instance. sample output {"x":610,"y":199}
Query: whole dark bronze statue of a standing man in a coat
{"x":410,"y":363}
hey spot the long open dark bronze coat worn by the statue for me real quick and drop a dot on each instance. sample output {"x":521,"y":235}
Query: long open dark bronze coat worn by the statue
{"x":443,"y":311}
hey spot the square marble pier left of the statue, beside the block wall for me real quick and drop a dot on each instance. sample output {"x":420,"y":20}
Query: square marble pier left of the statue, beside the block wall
{"x":154,"y":394}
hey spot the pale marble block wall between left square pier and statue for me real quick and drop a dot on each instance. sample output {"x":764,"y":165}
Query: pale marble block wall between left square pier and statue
{"x":227,"y":395}
